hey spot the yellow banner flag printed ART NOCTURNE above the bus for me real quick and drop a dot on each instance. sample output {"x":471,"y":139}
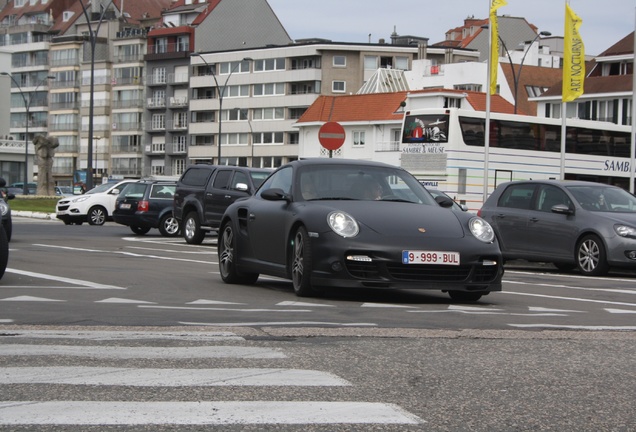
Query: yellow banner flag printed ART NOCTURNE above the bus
{"x":573,"y":57}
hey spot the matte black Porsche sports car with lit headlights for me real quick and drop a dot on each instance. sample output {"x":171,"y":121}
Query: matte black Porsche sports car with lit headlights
{"x":356,"y":224}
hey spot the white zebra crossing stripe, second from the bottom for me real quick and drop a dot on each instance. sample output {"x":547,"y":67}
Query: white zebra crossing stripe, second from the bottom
{"x":113,"y":376}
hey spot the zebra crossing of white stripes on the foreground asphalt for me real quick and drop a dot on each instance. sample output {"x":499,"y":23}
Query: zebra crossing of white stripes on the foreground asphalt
{"x":87,"y":368}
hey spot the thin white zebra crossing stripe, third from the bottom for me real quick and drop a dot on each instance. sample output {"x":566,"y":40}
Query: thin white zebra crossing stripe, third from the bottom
{"x":111,"y":352}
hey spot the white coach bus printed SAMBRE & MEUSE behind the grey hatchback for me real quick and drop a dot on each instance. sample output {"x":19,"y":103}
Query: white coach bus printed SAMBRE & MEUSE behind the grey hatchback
{"x":444,"y":148}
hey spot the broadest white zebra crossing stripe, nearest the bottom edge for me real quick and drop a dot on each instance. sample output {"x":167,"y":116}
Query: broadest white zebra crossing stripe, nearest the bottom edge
{"x":201,"y":413}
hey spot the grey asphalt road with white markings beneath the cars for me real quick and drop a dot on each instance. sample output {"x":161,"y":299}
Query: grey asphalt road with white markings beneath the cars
{"x":102,"y":329}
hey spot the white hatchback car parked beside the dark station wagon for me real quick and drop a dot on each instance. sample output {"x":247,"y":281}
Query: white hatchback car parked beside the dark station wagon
{"x":95,"y":206}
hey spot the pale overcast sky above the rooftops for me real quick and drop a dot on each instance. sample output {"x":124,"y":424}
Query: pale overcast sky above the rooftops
{"x":605,"y":22}
